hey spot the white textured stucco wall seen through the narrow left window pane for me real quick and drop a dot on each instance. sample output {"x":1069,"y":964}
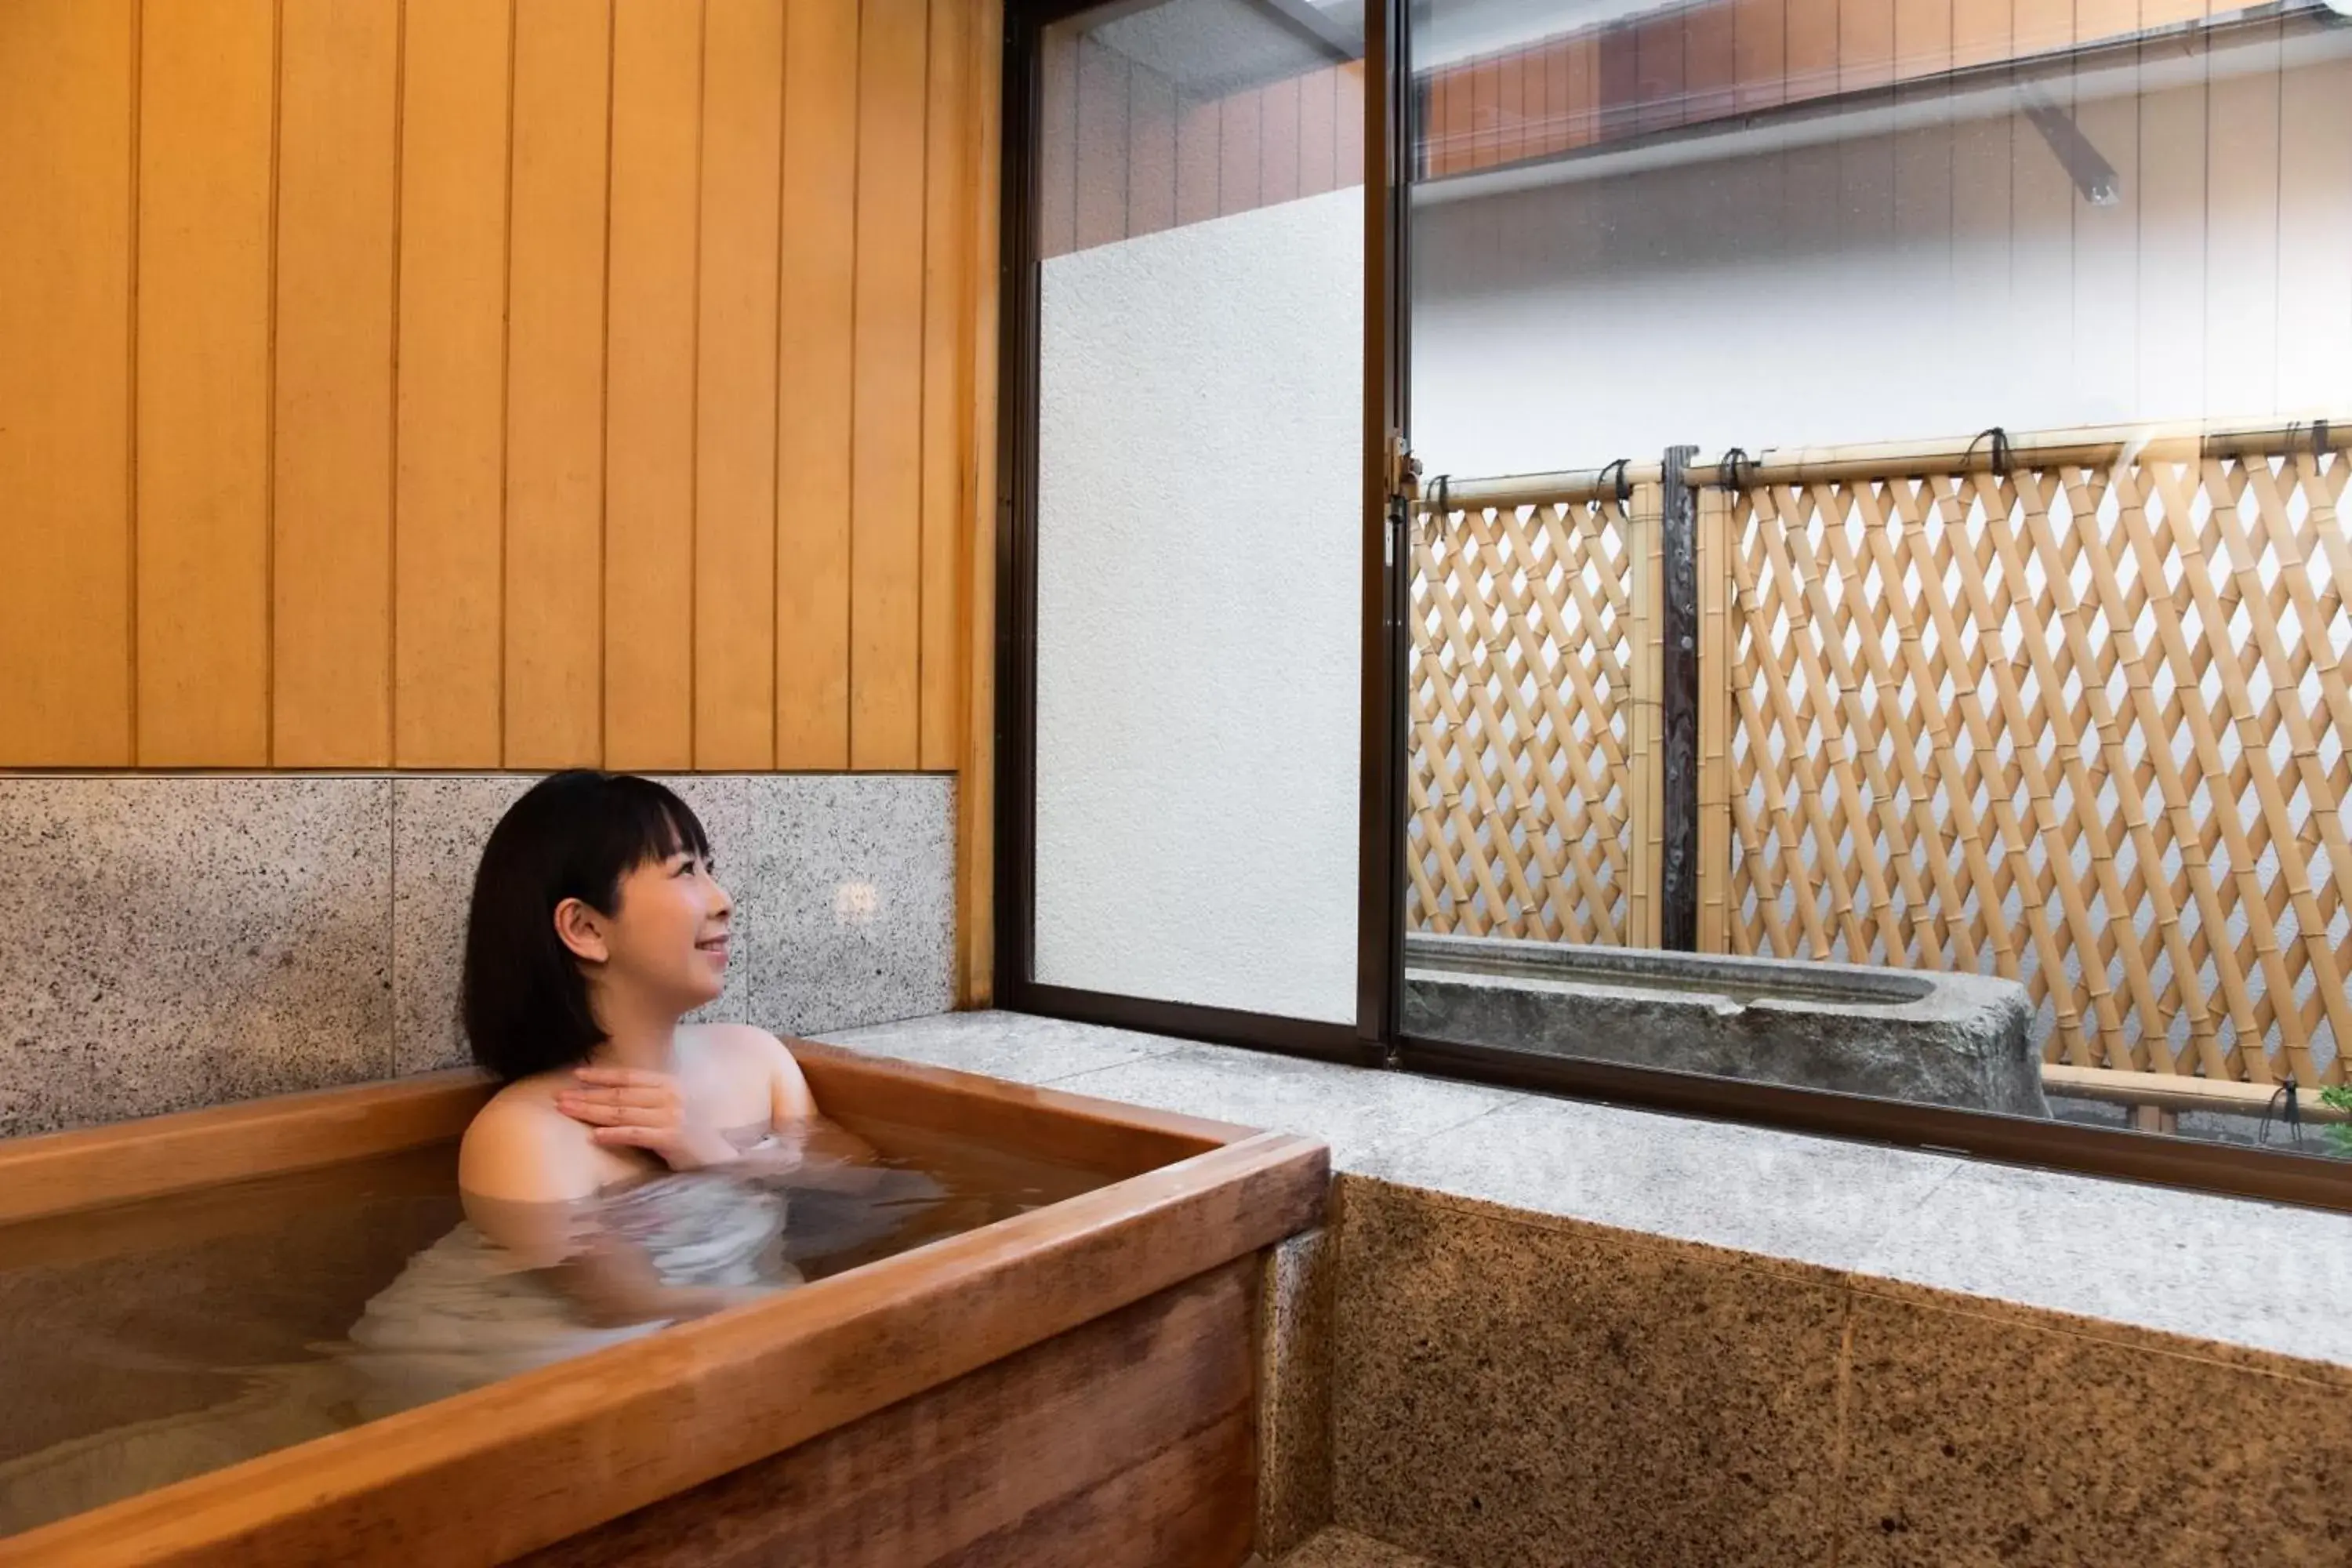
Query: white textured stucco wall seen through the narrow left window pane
{"x":1198,"y":612}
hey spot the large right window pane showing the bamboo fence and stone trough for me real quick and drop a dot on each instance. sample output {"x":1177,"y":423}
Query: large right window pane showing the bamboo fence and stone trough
{"x":1996,"y":624}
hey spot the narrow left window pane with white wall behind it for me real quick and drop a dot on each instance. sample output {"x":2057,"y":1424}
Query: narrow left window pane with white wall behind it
{"x":1201,"y":507}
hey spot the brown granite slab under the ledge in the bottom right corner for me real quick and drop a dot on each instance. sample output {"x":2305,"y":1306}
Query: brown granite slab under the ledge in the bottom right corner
{"x":2005,"y":1438}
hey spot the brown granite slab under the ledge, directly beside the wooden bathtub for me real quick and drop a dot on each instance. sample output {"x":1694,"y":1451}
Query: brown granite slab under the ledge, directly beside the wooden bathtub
{"x":1544,"y":1393}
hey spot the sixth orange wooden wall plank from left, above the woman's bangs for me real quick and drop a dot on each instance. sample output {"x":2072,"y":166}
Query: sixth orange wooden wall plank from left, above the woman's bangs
{"x":657,"y":81}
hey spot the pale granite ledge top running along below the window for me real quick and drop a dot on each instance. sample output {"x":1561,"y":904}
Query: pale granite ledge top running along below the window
{"x":2236,"y":1275}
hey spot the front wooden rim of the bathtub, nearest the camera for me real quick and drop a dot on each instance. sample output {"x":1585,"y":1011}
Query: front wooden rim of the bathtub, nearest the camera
{"x":542,"y":1456}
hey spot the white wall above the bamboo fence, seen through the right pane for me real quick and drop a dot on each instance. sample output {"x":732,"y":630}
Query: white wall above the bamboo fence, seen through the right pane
{"x":1909,"y":286}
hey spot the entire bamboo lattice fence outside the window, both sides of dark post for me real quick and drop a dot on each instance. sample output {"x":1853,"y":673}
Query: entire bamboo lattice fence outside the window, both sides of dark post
{"x":2066,"y":709}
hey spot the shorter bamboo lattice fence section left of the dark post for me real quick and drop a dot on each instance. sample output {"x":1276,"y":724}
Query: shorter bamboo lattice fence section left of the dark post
{"x":1535,"y":624}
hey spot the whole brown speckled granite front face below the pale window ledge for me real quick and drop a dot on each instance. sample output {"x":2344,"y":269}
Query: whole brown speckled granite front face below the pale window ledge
{"x":1518,"y":1388}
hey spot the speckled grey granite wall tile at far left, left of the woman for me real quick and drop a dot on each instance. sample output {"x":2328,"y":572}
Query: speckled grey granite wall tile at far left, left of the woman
{"x":185,"y":942}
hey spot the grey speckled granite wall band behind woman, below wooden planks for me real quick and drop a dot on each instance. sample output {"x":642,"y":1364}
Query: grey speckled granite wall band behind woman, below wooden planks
{"x":185,"y":942}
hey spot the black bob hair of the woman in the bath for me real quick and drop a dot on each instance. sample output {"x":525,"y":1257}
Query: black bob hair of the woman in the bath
{"x":573,"y":836}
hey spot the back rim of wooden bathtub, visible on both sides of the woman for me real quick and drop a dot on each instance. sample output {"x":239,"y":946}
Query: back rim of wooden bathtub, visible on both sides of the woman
{"x":123,"y":1162}
